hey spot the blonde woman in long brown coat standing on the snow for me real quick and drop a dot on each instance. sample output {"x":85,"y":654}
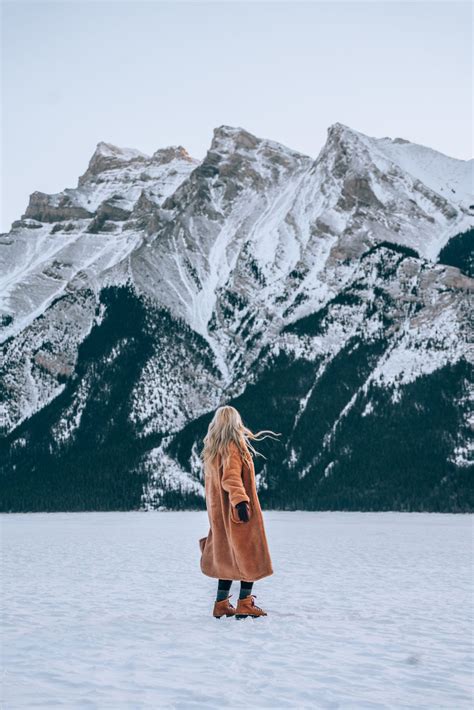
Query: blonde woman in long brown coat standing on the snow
{"x":236,"y":547}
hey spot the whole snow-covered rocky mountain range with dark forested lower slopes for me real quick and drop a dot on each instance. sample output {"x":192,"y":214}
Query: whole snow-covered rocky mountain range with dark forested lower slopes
{"x":328,"y":298}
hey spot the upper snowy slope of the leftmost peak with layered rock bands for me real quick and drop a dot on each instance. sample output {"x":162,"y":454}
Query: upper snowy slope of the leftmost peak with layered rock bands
{"x":78,"y":233}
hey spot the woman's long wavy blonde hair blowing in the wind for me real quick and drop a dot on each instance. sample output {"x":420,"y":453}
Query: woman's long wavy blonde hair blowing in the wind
{"x":227,"y":426}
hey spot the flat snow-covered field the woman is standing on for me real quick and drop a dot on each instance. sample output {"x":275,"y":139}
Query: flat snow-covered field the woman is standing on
{"x":110,"y":610}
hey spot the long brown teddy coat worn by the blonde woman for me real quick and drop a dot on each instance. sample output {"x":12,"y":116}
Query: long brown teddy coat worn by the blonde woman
{"x":233,"y":549}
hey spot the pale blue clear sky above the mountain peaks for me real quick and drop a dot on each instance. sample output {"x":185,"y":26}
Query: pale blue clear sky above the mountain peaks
{"x":151,"y":74}
